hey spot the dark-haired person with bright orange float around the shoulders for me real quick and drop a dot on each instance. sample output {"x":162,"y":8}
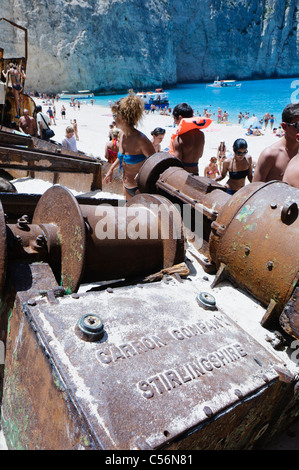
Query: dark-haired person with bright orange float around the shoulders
{"x":187,"y":143}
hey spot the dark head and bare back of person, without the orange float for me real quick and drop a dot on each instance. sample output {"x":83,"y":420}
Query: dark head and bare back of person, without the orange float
{"x":188,"y":147}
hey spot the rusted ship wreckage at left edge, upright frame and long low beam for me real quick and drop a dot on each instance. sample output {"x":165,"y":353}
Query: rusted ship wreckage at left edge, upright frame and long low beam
{"x":22,"y":155}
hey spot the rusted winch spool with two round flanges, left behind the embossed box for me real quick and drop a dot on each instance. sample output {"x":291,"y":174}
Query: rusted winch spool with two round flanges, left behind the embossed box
{"x":94,"y":243}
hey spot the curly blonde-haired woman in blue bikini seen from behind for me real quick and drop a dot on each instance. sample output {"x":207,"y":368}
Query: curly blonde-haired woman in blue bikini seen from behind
{"x":134,"y":146}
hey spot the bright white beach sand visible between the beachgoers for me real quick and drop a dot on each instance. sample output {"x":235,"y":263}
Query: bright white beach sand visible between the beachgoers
{"x":93,"y":128}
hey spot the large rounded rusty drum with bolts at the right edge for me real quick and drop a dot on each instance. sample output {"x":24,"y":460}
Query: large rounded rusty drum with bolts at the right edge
{"x":255,"y":241}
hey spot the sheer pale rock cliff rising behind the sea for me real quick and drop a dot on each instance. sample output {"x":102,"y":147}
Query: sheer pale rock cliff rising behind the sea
{"x":106,"y":45}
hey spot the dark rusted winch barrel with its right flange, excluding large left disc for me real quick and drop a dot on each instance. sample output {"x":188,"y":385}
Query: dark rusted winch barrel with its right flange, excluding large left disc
{"x":144,"y":236}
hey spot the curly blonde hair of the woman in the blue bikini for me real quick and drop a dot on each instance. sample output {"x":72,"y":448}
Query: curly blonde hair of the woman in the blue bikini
{"x":130,"y":108}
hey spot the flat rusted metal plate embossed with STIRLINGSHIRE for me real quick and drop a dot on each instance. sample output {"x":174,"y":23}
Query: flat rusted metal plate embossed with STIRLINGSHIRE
{"x":159,"y":351}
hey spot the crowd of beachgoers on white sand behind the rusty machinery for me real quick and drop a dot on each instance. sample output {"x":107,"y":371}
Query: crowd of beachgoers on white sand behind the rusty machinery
{"x":127,"y":147}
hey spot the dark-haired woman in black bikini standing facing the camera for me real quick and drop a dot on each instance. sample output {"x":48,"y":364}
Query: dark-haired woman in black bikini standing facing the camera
{"x":239,"y":166}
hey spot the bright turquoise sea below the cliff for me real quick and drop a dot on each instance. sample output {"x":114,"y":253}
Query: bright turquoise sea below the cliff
{"x":254,"y":96}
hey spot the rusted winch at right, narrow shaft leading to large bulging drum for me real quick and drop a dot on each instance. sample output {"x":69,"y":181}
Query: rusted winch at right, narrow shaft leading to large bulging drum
{"x":252,"y":235}
